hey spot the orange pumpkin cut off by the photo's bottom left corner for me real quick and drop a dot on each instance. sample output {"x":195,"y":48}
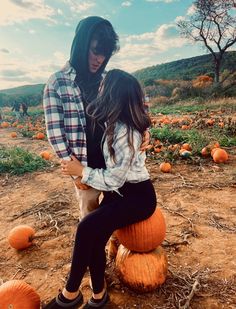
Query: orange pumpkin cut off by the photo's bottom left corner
{"x":18,"y":294}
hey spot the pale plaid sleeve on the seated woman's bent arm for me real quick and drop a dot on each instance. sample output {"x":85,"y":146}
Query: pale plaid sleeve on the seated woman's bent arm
{"x":114,"y":176}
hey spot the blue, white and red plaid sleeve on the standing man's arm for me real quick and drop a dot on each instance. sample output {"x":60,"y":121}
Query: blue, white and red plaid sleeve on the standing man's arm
{"x":54,"y":118}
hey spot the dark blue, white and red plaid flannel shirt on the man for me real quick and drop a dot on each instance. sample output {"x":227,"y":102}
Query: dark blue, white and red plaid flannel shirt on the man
{"x":64,"y":115}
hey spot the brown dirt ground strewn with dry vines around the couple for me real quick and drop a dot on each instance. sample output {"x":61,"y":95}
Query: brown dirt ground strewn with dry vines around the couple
{"x":199,"y":205}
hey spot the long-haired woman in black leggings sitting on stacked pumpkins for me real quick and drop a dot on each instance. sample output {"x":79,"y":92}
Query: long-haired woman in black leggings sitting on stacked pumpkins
{"x":129,"y":195}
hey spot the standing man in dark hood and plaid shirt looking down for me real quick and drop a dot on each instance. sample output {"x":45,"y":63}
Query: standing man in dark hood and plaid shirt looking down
{"x":67,"y":94}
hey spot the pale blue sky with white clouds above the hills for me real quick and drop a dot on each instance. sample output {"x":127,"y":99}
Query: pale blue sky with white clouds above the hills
{"x":36,"y":35}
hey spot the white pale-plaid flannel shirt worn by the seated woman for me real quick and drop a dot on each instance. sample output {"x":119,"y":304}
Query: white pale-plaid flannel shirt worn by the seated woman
{"x":126,"y":168}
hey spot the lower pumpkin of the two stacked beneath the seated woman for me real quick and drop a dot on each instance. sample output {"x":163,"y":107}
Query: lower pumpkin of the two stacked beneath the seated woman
{"x":142,"y":272}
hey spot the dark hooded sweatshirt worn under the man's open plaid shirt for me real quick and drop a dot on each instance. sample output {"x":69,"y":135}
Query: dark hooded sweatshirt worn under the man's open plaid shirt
{"x":88,"y":83}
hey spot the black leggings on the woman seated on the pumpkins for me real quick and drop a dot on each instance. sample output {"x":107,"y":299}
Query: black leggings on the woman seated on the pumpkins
{"x":138,"y":202}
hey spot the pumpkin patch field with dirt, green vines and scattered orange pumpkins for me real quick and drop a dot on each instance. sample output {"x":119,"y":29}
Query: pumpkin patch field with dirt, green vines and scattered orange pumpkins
{"x":195,"y":254}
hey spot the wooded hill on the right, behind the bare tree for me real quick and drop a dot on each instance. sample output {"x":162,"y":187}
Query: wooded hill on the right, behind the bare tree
{"x":185,"y":69}
